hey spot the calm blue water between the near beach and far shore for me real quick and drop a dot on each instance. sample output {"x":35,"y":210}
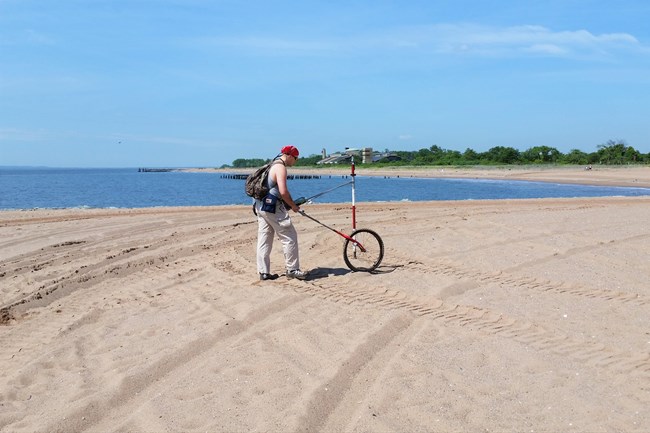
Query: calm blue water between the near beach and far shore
{"x":32,"y":188}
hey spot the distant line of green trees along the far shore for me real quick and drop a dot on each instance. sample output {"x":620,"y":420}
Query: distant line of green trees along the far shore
{"x":610,"y":153}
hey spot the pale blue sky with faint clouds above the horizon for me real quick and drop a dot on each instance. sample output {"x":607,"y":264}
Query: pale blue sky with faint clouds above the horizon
{"x":197,"y":83}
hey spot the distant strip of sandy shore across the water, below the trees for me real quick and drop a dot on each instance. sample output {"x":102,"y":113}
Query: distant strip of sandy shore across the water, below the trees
{"x":626,"y":176}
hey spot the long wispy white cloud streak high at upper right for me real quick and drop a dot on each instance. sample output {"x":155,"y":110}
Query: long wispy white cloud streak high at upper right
{"x":444,"y":39}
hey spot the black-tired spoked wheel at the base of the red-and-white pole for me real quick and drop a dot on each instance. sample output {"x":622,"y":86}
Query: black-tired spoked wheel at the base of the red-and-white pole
{"x":363,"y":250}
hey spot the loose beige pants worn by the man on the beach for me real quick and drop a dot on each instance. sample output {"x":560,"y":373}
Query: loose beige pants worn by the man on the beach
{"x":270,"y":224}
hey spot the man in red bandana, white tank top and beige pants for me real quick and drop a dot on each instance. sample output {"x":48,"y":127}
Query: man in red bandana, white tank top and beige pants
{"x":273,"y":219}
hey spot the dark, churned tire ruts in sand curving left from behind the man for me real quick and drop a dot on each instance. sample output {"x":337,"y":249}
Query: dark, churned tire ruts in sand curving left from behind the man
{"x":124,"y":258}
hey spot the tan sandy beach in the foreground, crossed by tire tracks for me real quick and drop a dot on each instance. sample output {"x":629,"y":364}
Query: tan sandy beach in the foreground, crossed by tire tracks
{"x":507,"y":315}
